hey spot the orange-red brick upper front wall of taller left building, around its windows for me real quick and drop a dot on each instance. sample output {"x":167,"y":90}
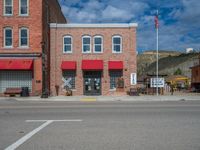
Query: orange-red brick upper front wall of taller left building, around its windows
{"x":33,"y":22}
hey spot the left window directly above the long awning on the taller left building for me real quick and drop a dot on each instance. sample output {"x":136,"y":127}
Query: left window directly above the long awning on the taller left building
{"x":8,"y":41}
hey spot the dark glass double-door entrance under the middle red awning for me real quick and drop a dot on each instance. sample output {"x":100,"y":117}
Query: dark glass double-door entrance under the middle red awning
{"x":92,"y":82}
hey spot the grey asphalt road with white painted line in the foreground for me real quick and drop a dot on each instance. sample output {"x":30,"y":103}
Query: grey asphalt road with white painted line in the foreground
{"x":100,"y":125}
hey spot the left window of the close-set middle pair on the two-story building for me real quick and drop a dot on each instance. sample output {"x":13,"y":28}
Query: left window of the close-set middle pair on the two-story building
{"x":86,"y":44}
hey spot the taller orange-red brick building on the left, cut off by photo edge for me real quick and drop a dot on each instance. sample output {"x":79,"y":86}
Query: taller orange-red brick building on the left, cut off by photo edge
{"x":24,"y":39}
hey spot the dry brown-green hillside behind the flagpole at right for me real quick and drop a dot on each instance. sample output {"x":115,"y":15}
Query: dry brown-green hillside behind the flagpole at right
{"x":167,"y":64}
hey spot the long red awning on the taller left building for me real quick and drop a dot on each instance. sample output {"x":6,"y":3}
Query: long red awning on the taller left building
{"x":16,"y":64}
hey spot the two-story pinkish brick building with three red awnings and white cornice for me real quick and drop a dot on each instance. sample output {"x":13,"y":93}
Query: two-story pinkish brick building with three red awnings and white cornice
{"x":93,"y":59}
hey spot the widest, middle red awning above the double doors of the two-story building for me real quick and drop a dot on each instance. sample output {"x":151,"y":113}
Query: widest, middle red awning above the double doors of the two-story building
{"x":92,"y":64}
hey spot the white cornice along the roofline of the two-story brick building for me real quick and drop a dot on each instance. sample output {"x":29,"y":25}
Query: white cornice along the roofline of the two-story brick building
{"x":103,"y":25}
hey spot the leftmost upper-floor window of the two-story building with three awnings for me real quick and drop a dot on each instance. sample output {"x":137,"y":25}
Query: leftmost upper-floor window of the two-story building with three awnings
{"x":67,"y":44}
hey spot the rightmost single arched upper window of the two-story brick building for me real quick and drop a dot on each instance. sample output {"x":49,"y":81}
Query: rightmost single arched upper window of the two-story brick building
{"x":116,"y":44}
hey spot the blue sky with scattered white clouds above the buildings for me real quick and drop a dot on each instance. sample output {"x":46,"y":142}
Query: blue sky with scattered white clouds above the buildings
{"x":179,"y":20}
